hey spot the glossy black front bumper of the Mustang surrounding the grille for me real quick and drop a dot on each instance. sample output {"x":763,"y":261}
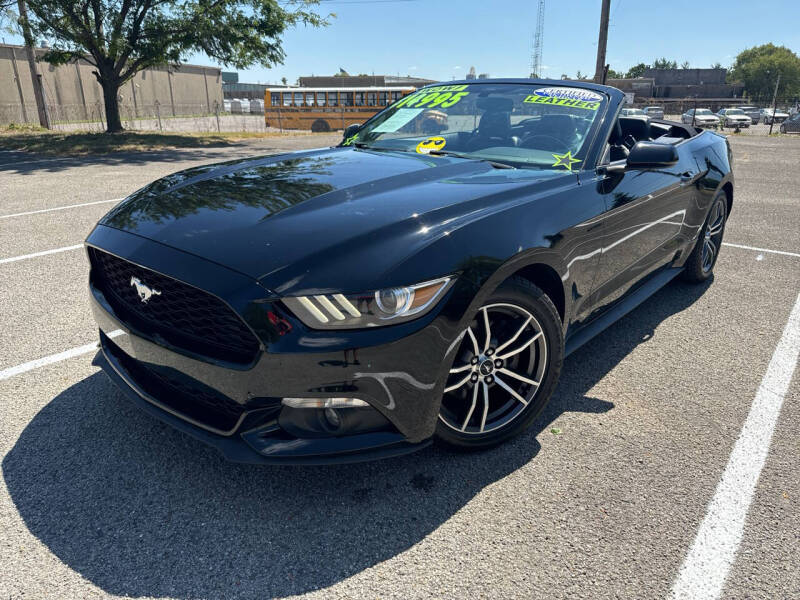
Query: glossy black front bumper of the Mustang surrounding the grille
{"x":397,"y":370}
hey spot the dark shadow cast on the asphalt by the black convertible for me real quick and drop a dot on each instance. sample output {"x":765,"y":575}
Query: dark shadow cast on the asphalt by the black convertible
{"x":140,"y":510}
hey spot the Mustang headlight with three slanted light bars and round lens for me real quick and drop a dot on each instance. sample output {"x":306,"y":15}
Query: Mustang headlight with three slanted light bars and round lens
{"x":370,"y":309}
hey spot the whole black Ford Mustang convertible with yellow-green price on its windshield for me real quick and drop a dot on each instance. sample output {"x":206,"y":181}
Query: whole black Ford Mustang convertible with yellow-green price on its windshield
{"x":422,"y":280}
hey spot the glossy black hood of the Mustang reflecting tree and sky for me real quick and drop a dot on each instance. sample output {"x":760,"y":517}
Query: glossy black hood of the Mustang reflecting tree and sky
{"x":321,"y":219}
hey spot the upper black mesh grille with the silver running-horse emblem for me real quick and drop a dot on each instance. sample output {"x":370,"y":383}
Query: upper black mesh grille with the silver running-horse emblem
{"x":181,"y":315}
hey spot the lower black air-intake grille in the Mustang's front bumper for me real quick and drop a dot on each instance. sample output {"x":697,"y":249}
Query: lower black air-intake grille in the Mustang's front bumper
{"x":179,"y":392}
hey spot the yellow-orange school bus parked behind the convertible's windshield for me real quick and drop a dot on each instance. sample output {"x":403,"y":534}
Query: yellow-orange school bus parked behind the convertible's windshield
{"x":326,"y":109}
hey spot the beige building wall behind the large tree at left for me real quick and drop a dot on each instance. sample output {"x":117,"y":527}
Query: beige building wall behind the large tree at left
{"x":72,"y":92}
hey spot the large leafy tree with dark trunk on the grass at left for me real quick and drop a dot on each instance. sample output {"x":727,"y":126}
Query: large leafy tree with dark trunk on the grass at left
{"x":122,"y":37}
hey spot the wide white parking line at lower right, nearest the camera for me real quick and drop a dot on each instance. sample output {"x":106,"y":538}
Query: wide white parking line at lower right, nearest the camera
{"x":705,"y":568}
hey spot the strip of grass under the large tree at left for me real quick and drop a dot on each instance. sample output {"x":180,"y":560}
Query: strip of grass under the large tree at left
{"x":52,"y":143}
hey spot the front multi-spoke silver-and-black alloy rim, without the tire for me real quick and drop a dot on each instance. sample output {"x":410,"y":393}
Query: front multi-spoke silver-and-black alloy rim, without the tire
{"x":500,"y":365}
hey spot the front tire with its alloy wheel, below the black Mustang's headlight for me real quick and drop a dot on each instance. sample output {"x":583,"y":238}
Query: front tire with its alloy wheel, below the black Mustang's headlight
{"x":505,"y":369}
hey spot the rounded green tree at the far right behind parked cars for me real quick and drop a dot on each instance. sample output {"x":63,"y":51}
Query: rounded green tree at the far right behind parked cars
{"x":758,"y":68}
